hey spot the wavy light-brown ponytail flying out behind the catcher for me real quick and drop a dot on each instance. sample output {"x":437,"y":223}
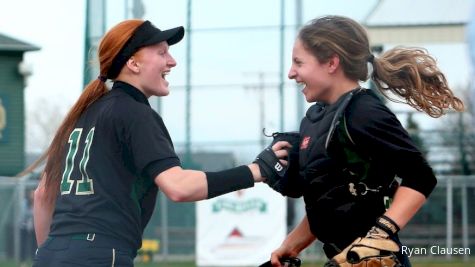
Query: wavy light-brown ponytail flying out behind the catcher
{"x":412,"y":74}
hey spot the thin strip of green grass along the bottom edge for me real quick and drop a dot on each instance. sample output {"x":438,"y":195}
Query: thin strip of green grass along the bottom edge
{"x":415,"y":263}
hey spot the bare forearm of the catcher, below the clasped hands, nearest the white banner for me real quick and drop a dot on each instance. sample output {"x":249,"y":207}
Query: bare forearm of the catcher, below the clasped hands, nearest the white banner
{"x":300,"y":237}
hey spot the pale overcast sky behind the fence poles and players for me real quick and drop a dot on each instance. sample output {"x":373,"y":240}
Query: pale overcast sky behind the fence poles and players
{"x":219,"y":57}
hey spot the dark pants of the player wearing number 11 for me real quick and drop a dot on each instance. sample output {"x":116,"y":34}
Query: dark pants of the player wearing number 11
{"x":83,"y":250}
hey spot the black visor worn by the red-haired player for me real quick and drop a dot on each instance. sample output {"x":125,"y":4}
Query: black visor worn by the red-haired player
{"x":146,"y":34}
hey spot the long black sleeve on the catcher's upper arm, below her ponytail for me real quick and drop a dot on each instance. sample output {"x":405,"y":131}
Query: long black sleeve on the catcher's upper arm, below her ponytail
{"x":374,"y":128}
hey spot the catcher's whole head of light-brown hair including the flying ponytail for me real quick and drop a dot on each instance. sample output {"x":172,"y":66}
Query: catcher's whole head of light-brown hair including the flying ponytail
{"x":409,"y":72}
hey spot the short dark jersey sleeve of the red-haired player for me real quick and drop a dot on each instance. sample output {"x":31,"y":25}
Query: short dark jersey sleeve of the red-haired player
{"x":150,"y":144}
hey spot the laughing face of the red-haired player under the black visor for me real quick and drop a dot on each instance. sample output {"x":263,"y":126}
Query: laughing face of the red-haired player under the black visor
{"x":154,"y":63}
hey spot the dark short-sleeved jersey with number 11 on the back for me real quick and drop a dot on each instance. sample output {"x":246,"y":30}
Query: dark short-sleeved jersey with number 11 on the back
{"x":115,"y":151}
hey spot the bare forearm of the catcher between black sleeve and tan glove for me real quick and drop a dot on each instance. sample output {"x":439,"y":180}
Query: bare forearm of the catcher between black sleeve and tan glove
{"x":405,"y":205}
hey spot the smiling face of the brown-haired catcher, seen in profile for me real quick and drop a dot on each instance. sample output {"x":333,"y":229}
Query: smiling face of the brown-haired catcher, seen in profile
{"x":309,"y":72}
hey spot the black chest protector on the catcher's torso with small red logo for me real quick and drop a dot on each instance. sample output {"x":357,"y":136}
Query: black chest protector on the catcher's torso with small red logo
{"x":346,"y":188}
